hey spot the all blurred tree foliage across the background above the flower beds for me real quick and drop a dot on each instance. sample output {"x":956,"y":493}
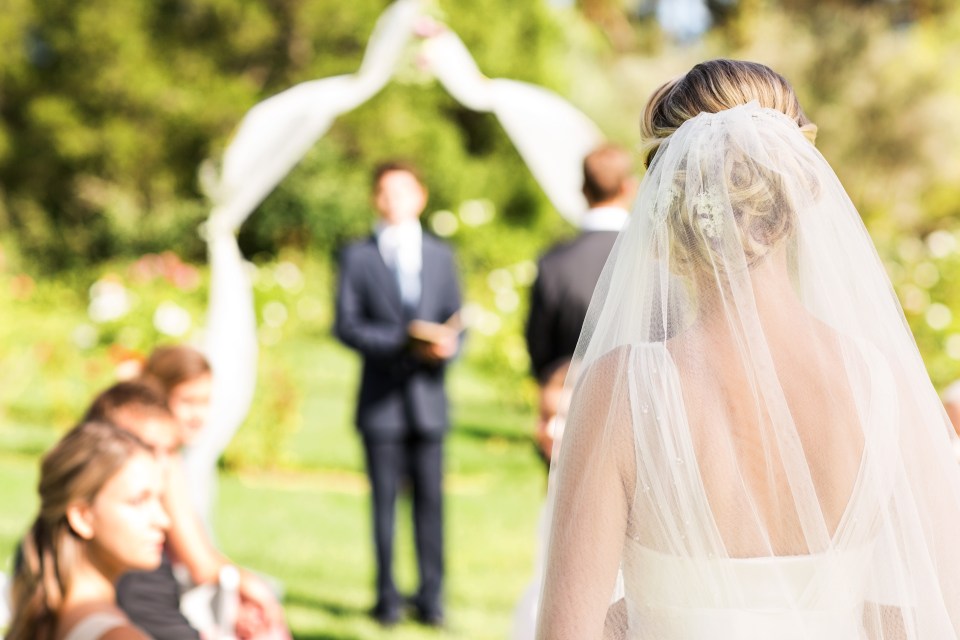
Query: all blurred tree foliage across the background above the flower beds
{"x":108,"y":107}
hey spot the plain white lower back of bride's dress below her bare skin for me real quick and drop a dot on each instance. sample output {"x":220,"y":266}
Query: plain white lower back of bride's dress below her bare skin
{"x":776,"y":590}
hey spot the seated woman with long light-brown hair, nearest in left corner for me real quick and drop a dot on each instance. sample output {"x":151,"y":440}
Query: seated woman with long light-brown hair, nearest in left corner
{"x":100,"y":516}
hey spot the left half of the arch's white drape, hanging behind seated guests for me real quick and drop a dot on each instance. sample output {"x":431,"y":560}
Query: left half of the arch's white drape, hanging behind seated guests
{"x":271,"y":139}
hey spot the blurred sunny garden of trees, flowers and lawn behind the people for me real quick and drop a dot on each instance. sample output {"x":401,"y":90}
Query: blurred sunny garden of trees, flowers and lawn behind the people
{"x":108,"y":109}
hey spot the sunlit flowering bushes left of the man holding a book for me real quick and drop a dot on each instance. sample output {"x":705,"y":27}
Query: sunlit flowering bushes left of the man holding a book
{"x":70,"y":336}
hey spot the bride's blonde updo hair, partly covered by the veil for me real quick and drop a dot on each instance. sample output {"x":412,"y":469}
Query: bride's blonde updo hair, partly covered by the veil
{"x":756,"y":195}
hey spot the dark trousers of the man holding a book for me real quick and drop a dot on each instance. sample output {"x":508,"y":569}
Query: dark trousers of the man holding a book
{"x":421,"y":462}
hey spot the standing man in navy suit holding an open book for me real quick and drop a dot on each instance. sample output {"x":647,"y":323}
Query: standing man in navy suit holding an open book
{"x":398,"y":305}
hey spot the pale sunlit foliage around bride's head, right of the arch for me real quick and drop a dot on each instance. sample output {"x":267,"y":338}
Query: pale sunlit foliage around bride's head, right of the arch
{"x":882,"y":82}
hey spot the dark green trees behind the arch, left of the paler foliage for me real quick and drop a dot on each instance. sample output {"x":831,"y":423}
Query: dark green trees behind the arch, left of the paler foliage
{"x":108,"y":107}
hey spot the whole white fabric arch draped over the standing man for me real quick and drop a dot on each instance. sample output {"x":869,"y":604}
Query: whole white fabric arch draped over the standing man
{"x":276,"y":133}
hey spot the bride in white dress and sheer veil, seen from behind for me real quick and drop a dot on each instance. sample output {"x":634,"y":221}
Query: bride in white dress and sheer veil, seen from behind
{"x":753,"y":448}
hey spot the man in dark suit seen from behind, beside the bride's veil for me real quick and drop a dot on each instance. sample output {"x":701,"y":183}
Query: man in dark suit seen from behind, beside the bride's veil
{"x":567,"y":275}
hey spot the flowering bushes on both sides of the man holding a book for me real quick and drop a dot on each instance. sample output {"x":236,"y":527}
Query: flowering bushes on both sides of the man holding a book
{"x":74,"y":334}
